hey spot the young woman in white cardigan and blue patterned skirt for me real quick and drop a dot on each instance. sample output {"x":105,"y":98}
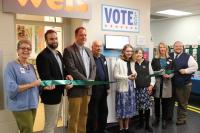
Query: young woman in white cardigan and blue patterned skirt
{"x":124,"y":72}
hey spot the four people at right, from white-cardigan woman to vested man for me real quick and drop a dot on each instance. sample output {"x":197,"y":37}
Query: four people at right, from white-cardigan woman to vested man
{"x":167,"y":78}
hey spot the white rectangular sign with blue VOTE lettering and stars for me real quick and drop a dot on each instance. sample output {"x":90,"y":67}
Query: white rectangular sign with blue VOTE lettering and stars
{"x":120,"y":19}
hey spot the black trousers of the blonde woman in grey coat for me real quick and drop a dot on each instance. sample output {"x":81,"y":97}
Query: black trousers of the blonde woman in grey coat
{"x":165,"y":107}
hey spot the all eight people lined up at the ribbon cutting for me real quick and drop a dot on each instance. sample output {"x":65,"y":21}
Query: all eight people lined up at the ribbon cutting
{"x":88,"y":109}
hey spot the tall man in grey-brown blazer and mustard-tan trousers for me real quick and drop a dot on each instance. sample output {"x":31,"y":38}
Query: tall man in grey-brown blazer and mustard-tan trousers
{"x":81,"y":65}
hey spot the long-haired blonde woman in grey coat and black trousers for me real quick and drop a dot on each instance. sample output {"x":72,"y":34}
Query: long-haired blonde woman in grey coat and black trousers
{"x":163,"y":86}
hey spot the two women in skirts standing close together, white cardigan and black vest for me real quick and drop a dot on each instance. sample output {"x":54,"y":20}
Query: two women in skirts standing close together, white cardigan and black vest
{"x":134,"y":88}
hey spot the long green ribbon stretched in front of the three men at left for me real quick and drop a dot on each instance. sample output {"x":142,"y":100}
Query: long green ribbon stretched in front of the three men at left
{"x":74,"y":82}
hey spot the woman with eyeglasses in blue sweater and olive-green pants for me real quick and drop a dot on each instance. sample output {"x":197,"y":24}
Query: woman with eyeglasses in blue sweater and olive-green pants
{"x":21,"y":85}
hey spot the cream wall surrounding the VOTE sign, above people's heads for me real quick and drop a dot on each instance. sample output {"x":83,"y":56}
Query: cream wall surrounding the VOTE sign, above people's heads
{"x":93,"y":25}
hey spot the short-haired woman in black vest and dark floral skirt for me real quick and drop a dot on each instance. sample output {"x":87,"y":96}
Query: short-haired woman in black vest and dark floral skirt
{"x":144,"y":85}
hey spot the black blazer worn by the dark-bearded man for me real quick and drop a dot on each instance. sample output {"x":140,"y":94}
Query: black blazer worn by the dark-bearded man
{"x":48,"y":69}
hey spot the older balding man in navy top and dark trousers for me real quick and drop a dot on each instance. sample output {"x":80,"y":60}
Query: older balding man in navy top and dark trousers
{"x":98,"y":107}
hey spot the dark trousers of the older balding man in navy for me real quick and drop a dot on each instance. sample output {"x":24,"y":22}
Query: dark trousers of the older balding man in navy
{"x":97,"y":112}
